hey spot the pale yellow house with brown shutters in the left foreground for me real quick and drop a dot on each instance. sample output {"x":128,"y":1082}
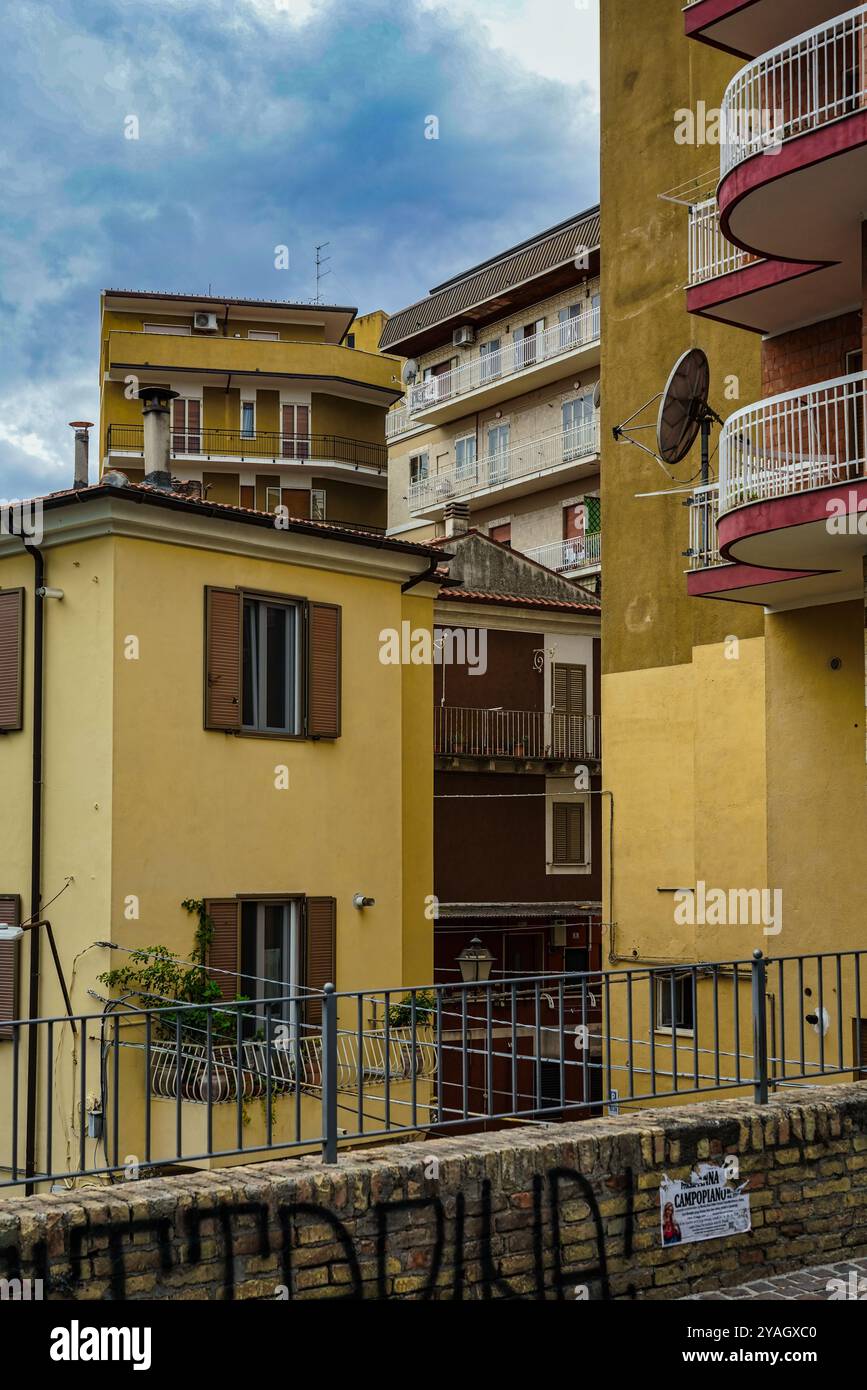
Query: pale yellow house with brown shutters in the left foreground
{"x":216,"y":725}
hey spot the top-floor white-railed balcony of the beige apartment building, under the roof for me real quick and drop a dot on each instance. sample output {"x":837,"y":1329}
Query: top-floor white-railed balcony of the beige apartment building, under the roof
{"x":486,"y":379}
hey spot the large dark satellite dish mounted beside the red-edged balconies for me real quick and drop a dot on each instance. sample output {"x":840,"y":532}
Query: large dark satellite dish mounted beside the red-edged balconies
{"x":683,"y":415}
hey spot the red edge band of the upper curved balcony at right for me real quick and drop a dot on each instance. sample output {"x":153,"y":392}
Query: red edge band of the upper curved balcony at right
{"x":800,"y":154}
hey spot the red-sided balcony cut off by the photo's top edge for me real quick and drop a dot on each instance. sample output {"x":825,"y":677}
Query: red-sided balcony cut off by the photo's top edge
{"x":748,"y":28}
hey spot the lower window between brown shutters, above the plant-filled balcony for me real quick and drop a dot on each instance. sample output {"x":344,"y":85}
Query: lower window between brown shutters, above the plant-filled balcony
{"x":270,"y":961}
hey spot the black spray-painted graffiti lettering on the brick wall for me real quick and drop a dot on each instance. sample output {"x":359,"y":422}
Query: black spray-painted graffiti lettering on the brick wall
{"x":180,"y":1243}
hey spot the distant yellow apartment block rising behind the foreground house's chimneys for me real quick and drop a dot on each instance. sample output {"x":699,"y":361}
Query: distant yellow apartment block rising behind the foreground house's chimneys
{"x":274,"y":402}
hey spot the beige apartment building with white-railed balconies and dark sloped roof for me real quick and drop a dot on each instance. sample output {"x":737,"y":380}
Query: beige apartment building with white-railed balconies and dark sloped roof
{"x":502,"y":404}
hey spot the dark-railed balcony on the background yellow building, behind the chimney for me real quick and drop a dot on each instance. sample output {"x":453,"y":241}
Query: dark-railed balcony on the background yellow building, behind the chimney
{"x":331,"y":455}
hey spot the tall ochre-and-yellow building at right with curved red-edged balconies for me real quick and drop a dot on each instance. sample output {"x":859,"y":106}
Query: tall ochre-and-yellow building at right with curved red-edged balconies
{"x":734,"y":664}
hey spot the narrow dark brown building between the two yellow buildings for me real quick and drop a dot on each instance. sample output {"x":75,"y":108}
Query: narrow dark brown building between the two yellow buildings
{"x":518,"y":826}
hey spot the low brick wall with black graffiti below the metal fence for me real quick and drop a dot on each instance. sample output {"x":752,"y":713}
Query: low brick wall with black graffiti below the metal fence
{"x":531,"y":1214}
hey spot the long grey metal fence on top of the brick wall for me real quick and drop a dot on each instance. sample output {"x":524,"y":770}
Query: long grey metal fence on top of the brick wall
{"x":152,"y":1089}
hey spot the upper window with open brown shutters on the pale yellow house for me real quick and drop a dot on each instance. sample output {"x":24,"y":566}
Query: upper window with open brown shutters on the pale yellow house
{"x":261,"y":676}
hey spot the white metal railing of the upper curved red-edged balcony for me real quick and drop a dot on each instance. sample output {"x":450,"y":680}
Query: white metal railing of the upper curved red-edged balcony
{"x":797,"y":88}
